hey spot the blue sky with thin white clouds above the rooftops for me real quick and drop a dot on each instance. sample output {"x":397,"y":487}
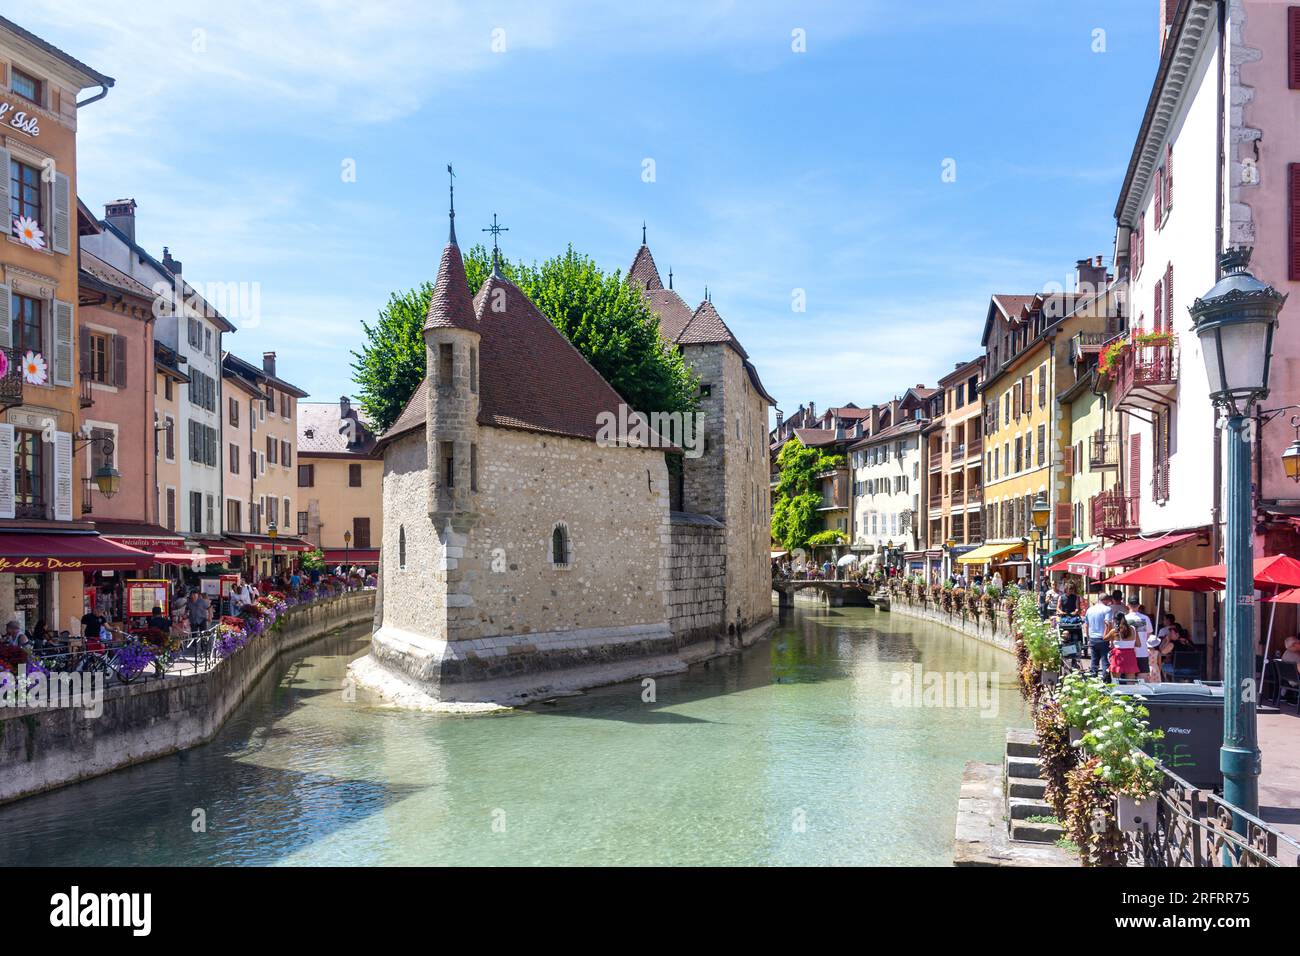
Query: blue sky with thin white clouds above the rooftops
{"x":232,"y":123}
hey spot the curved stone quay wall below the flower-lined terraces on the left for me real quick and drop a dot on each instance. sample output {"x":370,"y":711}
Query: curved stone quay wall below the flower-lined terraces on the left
{"x":45,"y":749}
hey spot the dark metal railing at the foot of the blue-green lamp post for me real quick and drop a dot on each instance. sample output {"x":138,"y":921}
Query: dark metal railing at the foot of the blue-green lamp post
{"x":1194,"y":828}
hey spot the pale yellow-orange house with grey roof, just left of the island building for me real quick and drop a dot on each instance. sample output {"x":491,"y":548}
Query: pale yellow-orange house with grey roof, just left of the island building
{"x":340,"y":483}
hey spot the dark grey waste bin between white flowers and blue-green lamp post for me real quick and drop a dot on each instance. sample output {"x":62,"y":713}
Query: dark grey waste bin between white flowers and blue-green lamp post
{"x":1193,"y":720}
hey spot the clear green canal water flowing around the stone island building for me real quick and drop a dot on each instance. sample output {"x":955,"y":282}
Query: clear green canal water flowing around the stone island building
{"x":809,"y":749}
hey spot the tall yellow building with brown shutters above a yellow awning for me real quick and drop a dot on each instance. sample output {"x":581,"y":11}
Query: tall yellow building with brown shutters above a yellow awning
{"x":1029,"y":364}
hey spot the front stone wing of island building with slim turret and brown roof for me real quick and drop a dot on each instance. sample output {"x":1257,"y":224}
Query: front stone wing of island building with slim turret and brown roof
{"x":523,"y":556}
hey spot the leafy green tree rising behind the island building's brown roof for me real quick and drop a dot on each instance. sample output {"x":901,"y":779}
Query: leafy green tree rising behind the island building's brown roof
{"x":605,"y":319}
